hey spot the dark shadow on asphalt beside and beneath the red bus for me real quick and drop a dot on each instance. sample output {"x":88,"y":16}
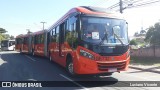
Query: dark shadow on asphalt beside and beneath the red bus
{"x":19,"y":68}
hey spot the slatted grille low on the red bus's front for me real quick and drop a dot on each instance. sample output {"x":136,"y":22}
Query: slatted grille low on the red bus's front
{"x":106,"y":66}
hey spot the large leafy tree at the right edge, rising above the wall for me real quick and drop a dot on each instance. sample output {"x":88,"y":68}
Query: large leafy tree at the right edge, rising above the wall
{"x":153,"y":35}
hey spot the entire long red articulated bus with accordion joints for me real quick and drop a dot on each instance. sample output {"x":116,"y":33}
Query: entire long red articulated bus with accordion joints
{"x":86,"y":40}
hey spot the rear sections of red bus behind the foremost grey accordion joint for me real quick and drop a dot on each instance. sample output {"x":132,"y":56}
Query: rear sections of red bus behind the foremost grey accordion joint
{"x":32,"y":43}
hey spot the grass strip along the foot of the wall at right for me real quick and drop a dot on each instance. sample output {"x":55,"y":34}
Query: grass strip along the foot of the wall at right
{"x":147,"y":61}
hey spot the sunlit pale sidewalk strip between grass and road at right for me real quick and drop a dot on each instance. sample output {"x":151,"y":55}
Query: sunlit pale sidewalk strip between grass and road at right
{"x":154,"y":69}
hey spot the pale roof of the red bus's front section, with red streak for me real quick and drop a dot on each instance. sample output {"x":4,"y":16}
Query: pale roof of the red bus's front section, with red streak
{"x":90,"y":11}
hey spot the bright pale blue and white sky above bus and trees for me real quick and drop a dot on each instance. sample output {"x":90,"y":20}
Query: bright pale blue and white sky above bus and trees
{"x":18,"y":15}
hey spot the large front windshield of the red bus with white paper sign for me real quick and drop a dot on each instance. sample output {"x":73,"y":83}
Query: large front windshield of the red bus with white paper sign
{"x":104,"y":31}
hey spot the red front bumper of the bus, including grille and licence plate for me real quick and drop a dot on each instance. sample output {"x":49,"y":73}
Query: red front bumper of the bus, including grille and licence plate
{"x":84,"y":66}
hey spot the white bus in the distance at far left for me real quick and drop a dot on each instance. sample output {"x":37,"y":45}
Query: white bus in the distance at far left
{"x":7,"y":45}
